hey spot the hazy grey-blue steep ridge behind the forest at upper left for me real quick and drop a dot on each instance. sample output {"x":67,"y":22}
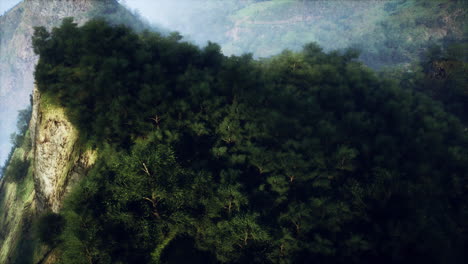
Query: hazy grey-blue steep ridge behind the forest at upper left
{"x":17,"y":58}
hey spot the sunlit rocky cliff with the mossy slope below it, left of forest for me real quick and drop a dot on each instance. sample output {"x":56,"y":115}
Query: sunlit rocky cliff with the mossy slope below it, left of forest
{"x":55,"y":164}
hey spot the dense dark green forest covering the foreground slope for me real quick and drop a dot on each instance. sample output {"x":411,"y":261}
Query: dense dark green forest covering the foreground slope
{"x":303,"y":157}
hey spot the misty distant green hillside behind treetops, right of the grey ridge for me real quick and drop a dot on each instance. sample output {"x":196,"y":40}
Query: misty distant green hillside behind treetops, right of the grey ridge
{"x":387,"y":32}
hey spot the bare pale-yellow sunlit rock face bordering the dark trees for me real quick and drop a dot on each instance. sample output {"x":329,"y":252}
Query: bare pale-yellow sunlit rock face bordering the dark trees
{"x":58,"y":161}
